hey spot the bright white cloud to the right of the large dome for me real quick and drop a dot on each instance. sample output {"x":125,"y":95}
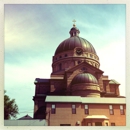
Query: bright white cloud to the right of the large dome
{"x":112,"y":60}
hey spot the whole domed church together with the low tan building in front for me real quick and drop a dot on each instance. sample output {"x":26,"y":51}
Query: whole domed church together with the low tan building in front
{"x":77,"y":93}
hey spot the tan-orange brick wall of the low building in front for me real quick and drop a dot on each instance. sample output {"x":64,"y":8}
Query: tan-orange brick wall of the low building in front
{"x":64,"y":114}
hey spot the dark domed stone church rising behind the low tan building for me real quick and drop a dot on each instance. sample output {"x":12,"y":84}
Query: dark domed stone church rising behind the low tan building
{"x":75,"y":72}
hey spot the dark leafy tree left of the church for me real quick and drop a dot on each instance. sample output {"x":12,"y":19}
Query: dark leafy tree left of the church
{"x":10,"y":107}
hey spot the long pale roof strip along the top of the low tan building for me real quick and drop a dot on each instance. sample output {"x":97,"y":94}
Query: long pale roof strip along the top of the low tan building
{"x":78,"y":99}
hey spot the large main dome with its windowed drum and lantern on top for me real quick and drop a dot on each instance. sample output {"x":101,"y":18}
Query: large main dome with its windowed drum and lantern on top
{"x":74,"y":51}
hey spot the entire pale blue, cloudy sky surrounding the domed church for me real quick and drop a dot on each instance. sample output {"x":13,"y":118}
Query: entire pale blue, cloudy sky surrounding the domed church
{"x":33,"y":32}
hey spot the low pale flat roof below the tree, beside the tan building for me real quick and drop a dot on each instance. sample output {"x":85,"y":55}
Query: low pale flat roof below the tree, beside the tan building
{"x":25,"y":122}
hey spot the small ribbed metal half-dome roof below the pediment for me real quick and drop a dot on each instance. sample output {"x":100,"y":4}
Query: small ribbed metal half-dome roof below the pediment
{"x":84,"y":78}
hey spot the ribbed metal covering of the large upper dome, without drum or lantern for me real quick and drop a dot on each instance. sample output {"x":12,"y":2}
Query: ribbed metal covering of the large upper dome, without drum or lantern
{"x":75,"y":41}
